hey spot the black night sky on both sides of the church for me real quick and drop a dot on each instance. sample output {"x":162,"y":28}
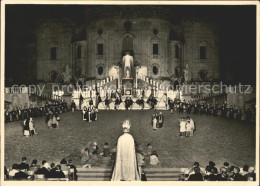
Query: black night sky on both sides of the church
{"x":237,"y":31}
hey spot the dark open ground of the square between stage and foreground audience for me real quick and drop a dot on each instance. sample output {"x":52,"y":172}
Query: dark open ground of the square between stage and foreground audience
{"x":217,"y":139}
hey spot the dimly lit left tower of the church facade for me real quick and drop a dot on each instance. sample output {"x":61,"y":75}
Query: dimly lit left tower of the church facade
{"x":53,"y":33}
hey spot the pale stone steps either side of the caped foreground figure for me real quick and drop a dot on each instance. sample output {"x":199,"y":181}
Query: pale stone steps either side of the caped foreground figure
{"x":152,"y":174}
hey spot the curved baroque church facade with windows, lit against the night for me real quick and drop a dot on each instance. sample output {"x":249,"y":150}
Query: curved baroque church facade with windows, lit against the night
{"x":161,"y":47}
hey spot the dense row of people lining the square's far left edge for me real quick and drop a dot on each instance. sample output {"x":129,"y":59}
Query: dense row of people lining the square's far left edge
{"x":22,"y":113}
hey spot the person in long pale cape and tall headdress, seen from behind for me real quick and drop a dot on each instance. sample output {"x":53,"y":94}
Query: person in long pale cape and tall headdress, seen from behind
{"x":125,"y":168}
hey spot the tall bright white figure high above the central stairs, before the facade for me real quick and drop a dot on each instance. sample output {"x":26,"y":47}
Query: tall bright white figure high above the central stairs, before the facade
{"x":128,"y":66}
